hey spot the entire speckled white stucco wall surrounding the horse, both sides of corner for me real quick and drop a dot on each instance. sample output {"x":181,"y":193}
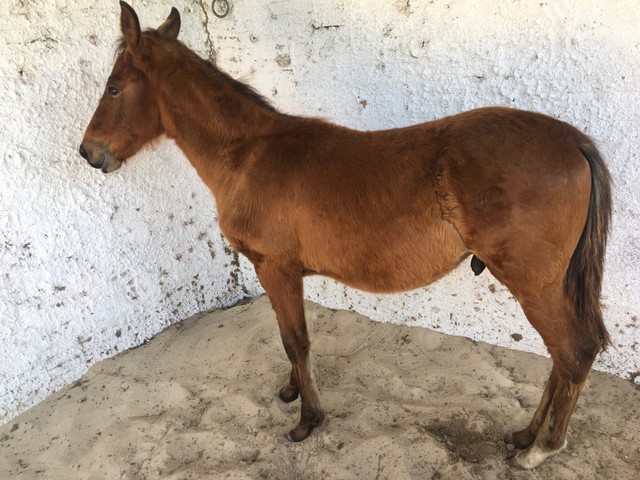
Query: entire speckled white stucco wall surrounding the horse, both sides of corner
{"x":92,"y":264}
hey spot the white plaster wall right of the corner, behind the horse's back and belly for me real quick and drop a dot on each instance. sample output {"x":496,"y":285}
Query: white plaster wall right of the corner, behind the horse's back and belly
{"x":381,"y":64}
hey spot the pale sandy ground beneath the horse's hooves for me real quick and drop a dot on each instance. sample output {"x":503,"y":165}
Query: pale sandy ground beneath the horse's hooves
{"x":199,"y":401}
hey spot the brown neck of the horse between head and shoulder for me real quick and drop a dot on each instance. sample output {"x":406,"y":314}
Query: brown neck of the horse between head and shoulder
{"x":209,"y":114}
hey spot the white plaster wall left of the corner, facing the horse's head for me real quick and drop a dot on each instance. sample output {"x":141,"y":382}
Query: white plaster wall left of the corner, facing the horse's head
{"x":90,"y":264}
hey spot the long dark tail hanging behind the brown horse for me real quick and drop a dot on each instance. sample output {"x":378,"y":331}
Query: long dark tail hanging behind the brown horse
{"x":583,"y":280}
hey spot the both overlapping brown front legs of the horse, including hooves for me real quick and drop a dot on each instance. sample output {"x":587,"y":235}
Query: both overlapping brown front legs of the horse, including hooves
{"x":284,"y":288}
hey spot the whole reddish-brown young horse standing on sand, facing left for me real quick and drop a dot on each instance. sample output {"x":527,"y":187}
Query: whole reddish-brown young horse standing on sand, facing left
{"x":386,"y":211}
